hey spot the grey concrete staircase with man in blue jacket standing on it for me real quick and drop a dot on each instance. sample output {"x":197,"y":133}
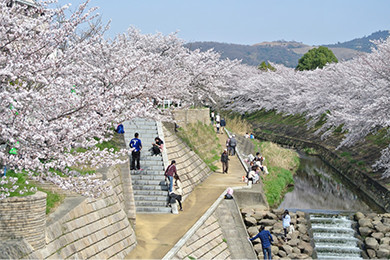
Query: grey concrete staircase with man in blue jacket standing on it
{"x":149,"y":187}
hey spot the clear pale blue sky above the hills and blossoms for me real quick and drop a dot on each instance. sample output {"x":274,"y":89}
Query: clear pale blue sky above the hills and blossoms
{"x":312,"y":22}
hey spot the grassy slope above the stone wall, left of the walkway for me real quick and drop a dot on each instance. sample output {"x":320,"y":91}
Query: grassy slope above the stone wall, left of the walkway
{"x":203,"y":140}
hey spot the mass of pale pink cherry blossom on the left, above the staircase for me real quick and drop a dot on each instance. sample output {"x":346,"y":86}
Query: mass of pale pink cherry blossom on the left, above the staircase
{"x":61,"y":91}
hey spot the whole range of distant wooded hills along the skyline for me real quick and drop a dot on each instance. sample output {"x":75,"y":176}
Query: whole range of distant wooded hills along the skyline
{"x":286,"y":52}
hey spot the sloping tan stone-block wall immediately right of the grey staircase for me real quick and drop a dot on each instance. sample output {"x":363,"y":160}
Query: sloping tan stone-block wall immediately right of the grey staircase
{"x":191,"y":169}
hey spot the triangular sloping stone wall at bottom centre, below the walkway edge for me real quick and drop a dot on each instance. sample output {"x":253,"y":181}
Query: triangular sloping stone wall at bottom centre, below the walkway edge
{"x":207,"y":242}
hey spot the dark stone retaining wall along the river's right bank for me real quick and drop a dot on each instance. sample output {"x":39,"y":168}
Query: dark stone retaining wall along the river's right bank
{"x":367,"y":186}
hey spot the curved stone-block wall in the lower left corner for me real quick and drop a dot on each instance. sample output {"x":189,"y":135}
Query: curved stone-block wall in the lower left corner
{"x":24,"y":217}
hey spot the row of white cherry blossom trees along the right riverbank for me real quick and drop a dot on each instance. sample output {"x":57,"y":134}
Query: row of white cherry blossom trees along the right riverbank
{"x":352,"y":94}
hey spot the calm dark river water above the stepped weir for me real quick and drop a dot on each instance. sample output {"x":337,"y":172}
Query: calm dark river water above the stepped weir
{"x":318,"y":187}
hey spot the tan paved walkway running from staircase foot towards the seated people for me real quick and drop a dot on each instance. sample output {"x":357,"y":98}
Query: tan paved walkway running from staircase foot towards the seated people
{"x":158,"y":233}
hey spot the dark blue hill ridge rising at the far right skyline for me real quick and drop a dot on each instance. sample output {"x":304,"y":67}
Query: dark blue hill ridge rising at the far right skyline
{"x":361,"y":44}
